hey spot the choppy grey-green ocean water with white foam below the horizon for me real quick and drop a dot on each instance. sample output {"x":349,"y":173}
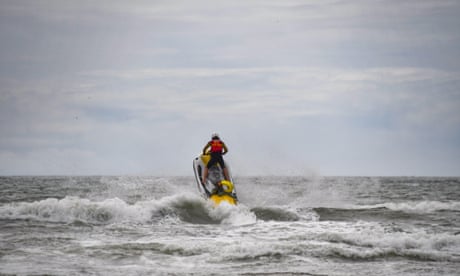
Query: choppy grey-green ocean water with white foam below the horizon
{"x":140,"y":225}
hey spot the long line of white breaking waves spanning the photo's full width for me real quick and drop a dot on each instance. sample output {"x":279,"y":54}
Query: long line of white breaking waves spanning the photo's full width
{"x":194,"y":209}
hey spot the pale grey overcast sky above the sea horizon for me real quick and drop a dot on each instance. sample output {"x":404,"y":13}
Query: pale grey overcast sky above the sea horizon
{"x":293,"y":87}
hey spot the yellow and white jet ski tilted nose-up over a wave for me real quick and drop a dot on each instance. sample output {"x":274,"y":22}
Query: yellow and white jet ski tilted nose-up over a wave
{"x":216,"y":188}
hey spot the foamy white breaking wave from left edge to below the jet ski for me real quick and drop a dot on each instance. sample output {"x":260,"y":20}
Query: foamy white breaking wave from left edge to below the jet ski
{"x":187,"y":208}
